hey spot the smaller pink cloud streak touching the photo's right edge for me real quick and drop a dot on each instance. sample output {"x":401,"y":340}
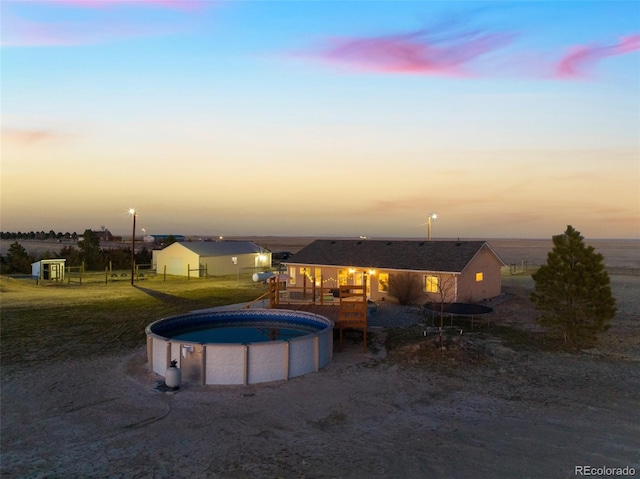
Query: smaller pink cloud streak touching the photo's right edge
{"x":574,"y":63}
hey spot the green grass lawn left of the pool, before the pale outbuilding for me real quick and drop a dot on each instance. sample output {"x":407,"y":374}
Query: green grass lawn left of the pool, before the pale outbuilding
{"x":50,"y":323}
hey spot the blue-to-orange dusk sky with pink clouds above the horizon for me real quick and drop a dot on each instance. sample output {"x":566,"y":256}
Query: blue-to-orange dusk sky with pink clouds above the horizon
{"x":321,"y":118}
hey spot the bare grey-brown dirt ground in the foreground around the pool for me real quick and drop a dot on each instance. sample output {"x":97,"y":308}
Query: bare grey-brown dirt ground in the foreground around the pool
{"x":496,"y":411}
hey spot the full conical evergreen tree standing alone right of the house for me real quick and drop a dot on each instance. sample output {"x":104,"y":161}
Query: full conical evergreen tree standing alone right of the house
{"x":572,"y":290}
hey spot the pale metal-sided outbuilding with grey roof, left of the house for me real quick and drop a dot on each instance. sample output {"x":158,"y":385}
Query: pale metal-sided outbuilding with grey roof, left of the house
{"x":218,"y":258}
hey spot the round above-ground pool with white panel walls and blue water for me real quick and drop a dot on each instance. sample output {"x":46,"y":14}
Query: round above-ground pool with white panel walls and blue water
{"x":240,"y":347}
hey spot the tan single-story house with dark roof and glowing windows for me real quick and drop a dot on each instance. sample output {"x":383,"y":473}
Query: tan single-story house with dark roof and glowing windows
{"x":448,"y":271}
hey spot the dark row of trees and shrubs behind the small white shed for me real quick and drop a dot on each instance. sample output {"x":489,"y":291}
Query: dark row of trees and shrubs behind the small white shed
{"x":88,"y":251}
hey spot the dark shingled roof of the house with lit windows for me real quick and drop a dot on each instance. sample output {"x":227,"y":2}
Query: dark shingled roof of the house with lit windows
{"x":441,"y":256}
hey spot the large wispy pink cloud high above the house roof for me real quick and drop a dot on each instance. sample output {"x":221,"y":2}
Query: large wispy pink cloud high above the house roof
{"x":414,"y":53}
